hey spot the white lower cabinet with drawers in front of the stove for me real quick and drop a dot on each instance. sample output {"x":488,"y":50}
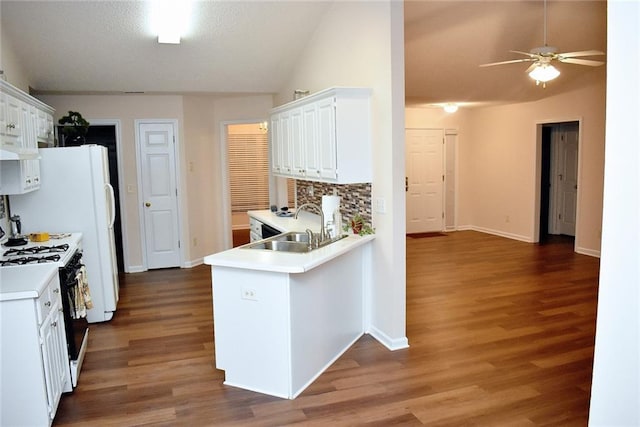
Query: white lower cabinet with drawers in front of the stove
{"x":35,"y":361}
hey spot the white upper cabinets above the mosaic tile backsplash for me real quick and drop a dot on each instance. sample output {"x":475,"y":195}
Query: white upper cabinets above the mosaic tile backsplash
{"x":324,"y":137}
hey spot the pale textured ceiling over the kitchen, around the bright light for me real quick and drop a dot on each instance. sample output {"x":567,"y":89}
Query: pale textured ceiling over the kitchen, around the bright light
{"x":233,"y":46}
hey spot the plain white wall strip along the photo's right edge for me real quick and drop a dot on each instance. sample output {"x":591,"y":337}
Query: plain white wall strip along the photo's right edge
{"x":615,"y":391}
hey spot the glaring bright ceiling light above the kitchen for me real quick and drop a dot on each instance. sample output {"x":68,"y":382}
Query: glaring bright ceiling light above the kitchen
{"x":171,"y":19}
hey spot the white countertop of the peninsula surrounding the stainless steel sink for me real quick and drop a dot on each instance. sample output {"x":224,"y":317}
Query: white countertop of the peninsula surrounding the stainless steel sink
{"x":285,"y":262}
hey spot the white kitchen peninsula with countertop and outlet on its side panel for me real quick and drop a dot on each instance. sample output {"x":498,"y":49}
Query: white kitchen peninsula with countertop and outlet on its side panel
{"x":282,"y":318}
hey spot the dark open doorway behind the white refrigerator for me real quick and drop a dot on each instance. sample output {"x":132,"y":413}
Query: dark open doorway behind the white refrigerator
{"x":106,"y":134}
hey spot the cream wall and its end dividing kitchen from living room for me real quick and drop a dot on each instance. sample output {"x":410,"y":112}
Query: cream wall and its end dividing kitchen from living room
{"x":361,"y":44}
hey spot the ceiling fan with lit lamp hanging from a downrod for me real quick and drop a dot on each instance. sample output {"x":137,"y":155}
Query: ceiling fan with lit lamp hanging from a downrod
{"x":542,"y":70}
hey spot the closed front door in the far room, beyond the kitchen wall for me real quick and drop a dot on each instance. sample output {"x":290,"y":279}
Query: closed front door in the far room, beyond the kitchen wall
{"x":425,"y":180}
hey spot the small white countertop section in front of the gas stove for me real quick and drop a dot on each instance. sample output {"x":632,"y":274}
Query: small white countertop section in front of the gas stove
{"x":21,"y":282}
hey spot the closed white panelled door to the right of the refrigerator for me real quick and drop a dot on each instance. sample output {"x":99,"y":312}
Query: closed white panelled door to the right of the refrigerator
{"x":159,"y":194}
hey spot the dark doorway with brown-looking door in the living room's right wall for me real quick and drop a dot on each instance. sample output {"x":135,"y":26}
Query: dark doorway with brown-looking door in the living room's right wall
{"x":558,"y":180}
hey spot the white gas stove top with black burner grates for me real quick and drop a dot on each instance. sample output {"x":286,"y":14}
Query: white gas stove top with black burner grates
{"x":58,"y":249}
